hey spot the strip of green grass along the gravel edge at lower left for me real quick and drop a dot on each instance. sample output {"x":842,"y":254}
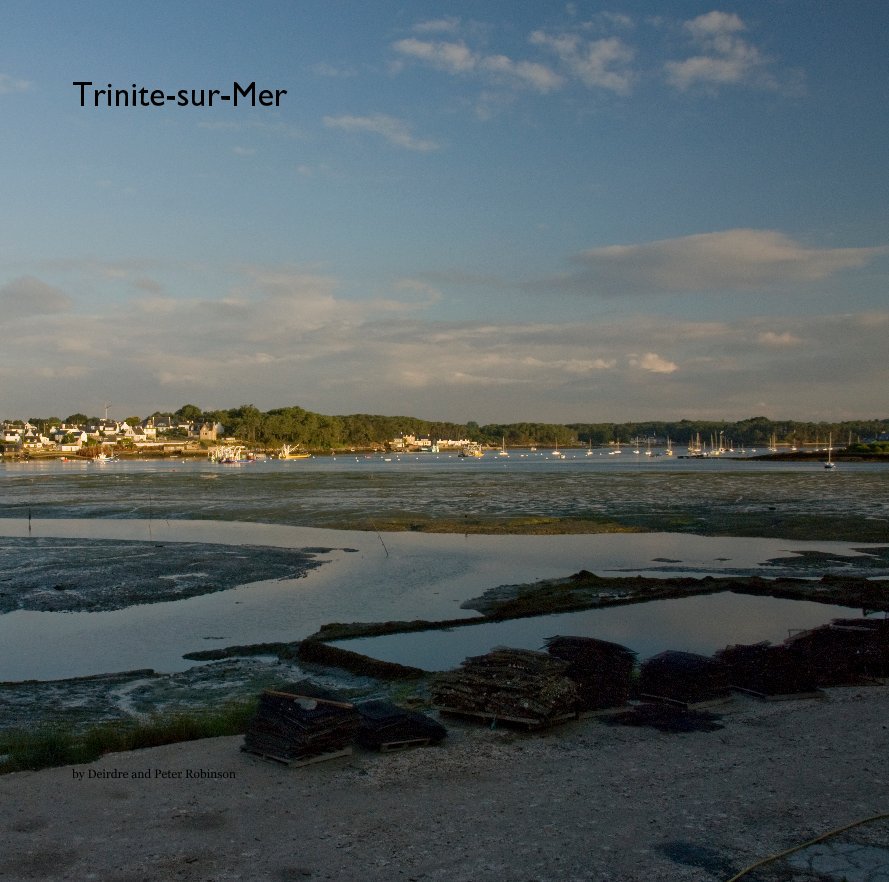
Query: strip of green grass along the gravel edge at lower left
{"x":60,"y":744}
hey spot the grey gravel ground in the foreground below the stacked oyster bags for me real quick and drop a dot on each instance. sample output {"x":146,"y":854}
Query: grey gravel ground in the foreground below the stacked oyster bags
{"x":586,"y":801}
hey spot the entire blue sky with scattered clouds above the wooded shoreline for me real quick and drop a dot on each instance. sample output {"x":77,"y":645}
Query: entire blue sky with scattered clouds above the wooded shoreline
{"x":489,"y":211}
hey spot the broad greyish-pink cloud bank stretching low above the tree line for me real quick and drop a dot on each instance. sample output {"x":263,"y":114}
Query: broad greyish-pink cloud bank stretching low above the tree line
{"x":284,"y":335}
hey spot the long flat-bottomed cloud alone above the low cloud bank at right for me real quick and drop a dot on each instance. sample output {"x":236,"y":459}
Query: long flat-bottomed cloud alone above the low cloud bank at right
{"x":731,"y":260}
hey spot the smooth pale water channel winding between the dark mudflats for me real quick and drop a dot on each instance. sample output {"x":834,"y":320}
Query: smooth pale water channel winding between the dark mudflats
{"x":415,"y":576}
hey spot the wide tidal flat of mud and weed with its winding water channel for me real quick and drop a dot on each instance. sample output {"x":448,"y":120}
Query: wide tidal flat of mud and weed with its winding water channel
{"x":435,"y":535}
